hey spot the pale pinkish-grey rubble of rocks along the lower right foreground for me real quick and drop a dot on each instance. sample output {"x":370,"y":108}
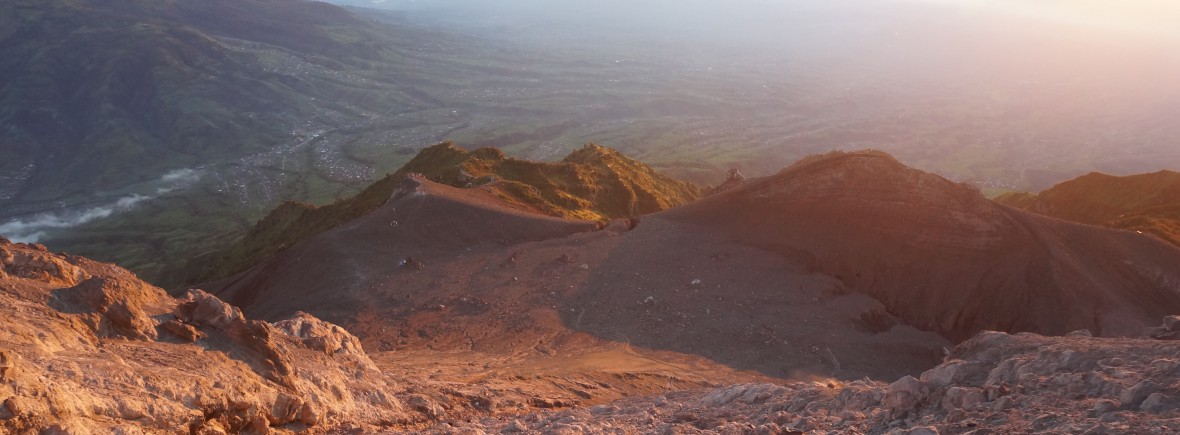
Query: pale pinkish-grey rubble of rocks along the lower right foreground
{"x":994,"y":384}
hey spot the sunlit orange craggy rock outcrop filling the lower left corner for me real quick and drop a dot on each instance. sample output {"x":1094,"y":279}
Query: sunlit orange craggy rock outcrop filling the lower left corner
{"x":88,"y":348}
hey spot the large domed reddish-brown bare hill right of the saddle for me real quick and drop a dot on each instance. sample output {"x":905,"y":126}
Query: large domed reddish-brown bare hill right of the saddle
{"x":942,"y":258}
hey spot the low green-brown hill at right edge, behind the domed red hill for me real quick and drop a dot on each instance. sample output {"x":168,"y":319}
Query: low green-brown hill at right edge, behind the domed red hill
{"x":1146,"y":203}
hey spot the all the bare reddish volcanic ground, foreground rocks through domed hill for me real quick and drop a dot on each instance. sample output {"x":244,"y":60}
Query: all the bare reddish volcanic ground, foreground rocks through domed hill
{"x":763,"y":307}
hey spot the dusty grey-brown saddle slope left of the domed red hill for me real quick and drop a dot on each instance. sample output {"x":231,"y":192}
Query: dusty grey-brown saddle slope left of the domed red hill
{"x":447,"y":269}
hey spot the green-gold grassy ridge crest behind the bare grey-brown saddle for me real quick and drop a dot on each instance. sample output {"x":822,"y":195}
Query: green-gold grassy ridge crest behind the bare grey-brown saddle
{"x":593,"y":183}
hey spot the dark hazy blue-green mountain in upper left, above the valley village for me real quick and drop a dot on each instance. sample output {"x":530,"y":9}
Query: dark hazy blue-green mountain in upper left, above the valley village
{"x":97,"y":96}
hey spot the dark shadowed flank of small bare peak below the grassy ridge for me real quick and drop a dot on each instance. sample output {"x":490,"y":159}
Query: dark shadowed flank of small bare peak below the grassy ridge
{"x":335,"y":272}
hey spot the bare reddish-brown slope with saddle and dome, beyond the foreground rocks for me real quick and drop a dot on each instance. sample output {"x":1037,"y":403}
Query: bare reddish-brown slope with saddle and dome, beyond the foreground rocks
{"x":824,"y":269}
